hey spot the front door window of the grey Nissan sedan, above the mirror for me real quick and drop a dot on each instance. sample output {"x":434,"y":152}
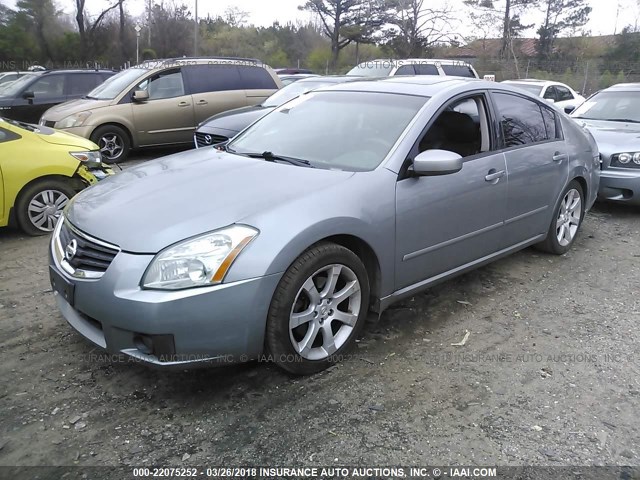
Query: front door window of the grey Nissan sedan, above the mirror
{"x":461,"y":127}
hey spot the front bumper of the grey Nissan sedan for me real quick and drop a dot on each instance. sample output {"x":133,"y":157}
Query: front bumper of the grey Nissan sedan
{"x":219,"y":325}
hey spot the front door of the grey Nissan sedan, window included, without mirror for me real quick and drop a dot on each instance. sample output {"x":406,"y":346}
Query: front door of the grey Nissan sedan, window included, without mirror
{"x":446,"y":222}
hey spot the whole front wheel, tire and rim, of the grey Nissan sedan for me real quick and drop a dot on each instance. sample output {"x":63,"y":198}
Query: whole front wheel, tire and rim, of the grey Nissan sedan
{"x":318,"y":309}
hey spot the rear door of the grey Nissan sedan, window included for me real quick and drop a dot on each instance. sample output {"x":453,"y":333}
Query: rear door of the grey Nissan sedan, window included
{"x":537,"y":163}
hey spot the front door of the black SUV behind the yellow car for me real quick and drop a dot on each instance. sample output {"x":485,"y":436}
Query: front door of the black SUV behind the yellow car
{"x":48,"y":90}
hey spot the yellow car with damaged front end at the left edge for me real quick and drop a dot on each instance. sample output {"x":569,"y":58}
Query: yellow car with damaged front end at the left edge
{"x":40,"y":170}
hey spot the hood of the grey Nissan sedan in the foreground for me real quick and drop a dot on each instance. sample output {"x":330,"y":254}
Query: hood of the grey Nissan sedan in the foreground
{"x":149,"y":207}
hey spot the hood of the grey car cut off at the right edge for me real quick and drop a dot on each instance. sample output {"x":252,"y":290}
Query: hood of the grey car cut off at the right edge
{"x":613,"y":137}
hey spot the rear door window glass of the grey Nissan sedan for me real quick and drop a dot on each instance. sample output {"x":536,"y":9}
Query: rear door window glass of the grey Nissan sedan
{"x":521,"y":120}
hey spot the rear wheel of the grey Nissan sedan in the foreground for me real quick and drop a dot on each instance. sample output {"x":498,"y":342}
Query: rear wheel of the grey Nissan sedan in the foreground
{"x":566,"y":221}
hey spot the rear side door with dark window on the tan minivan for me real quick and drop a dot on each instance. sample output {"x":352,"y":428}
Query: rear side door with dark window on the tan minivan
{"x":214,"y":88}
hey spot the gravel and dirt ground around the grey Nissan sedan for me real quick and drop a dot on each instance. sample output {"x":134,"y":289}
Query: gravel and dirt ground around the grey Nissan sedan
{"x":548,"y":376}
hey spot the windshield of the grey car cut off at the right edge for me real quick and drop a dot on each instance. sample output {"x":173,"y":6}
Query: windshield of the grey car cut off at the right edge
{"x":611,"y":105}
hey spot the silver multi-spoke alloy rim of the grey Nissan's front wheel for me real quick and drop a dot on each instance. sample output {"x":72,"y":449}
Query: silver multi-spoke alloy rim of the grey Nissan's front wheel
{"x":325,"y":312}
